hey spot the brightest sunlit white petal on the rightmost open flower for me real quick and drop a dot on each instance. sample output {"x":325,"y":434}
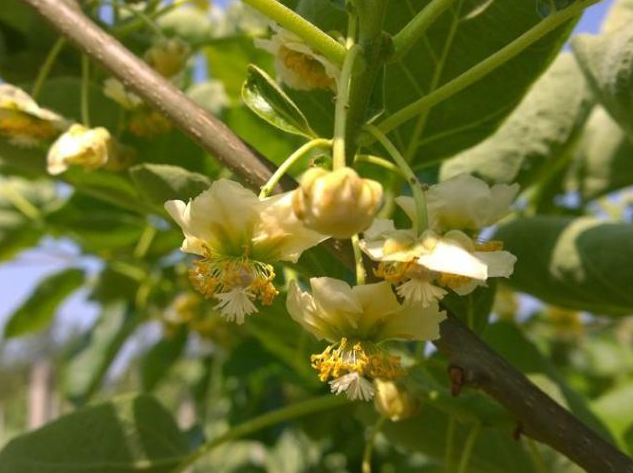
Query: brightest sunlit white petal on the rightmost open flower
{"x":452,"y":258}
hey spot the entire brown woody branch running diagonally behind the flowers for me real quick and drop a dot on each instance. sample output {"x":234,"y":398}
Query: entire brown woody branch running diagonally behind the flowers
{"x":472,"y":361}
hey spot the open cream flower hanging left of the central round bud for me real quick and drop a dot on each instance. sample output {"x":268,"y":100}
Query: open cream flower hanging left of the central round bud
{"x":237,"y":237}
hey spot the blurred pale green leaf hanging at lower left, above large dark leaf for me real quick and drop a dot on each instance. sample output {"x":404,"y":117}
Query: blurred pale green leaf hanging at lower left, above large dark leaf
{"x":86,"y":367}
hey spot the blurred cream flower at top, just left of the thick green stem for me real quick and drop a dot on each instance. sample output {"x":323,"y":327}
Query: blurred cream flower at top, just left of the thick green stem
{"x":297,"y":65}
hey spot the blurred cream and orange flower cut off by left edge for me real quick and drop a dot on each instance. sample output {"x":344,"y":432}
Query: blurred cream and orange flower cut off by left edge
{"x":23,"y":121}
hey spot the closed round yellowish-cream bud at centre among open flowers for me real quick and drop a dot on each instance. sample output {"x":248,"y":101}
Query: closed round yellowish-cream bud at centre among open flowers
{"x":337,"y":203}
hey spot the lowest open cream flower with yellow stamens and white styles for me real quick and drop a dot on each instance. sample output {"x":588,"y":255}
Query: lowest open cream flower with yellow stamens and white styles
{"x":355,"y":319}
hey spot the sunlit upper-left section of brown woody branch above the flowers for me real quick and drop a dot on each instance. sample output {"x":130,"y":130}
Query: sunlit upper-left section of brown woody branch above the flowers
{"x":206,"y":130}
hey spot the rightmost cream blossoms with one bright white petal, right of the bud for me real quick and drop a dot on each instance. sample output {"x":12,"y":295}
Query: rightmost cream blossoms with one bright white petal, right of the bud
{"x":448,"y":255}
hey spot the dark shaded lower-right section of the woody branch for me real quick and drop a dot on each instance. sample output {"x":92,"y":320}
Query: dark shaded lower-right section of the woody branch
{"x":474,"y":363}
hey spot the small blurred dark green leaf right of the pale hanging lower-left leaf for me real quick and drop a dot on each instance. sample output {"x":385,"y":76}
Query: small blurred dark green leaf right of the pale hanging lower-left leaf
{"x":156,"y":363}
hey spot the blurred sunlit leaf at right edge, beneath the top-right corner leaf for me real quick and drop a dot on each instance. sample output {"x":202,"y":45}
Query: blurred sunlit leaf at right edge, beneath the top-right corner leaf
{"x":603,"y":161}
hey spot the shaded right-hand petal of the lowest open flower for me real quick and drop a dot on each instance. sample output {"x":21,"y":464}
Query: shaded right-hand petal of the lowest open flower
{"x":413,"y":322}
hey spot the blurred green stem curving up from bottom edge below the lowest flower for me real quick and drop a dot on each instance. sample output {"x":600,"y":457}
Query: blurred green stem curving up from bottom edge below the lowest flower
{"x":265,"y":420}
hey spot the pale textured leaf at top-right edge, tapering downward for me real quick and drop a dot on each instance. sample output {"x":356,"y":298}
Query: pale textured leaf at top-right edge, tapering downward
{"x":606,"y":61}
